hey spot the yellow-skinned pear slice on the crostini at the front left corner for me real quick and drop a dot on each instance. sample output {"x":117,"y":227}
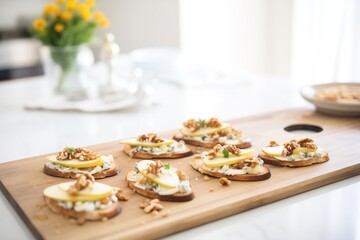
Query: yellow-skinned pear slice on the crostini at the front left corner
{"x":58,"y":193}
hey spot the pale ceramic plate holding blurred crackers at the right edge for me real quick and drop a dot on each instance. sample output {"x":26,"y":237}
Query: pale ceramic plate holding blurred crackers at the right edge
{"x":334,"y":108}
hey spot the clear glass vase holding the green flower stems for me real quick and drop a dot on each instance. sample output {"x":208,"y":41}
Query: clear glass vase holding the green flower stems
{"x":66,"y":70}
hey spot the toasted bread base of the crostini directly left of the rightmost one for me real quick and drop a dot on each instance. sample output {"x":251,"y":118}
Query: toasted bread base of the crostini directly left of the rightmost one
{"x":196,"y":164}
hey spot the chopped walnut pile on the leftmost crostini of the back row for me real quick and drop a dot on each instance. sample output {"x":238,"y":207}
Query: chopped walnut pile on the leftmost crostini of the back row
{"x":82,"y":154}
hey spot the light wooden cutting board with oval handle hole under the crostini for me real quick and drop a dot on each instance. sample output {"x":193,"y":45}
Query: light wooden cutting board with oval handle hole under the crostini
{"x":23,"y":182}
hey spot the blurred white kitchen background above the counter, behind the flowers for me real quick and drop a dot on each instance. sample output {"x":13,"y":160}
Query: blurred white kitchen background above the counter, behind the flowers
{"x":303,"y":40}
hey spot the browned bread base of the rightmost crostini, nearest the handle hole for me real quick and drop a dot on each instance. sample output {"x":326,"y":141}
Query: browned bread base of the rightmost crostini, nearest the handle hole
{"x":297,"y":163}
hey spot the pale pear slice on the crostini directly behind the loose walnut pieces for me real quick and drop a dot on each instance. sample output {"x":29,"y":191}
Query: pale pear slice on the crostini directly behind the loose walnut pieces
{"x":169,"y":180}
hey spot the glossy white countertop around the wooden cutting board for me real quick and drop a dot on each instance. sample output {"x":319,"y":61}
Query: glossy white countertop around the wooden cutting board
{"x":330,"y":212}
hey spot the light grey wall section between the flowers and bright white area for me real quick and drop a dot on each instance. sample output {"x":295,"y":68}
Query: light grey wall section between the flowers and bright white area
{"x":143,"y":23}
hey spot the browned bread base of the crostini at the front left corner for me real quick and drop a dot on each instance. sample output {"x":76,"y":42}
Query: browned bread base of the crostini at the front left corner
{"x":96,"y":215}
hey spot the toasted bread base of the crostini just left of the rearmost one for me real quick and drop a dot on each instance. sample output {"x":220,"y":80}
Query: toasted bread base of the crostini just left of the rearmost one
{"x":171,"y":155}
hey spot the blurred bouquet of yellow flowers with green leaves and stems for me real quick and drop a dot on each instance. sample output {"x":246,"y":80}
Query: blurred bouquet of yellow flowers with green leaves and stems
{"x":66,"y":25}
